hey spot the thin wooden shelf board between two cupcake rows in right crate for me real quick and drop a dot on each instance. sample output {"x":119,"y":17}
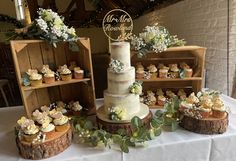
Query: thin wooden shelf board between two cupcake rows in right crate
{"x":170,"y":79}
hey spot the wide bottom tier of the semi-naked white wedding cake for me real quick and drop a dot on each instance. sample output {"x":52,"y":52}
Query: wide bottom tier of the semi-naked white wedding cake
{"x":130,"y":102}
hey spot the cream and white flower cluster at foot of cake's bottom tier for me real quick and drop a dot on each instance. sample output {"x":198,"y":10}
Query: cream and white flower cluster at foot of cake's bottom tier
{"x":117,"y":113}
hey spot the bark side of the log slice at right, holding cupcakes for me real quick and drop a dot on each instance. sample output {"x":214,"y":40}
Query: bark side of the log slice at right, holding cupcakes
{"x":205,"y":126}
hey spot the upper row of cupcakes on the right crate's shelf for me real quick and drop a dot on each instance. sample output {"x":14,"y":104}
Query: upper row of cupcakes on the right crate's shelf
{"x":182,"y":70}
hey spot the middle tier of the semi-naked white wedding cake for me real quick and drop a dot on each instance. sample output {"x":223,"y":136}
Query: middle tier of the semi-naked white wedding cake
{"x":118,"y":83}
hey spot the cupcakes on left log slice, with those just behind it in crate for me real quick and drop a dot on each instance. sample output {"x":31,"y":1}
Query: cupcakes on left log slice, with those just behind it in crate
{"x":46,"y":122}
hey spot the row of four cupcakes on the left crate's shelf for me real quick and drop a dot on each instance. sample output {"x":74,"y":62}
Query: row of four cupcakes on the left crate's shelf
{"x":34,"y":77}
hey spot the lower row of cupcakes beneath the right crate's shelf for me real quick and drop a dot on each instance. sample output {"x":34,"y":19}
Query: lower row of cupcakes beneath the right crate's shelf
{"x":159,"y":97}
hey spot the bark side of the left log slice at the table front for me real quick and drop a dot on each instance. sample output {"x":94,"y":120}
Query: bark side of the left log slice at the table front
{"x":46,"y":149}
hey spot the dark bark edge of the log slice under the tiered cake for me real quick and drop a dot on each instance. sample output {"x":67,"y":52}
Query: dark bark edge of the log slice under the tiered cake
{"x":114,"y":127}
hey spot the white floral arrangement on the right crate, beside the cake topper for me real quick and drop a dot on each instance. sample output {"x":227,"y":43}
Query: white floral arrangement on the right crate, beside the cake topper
{"x":154,"y":38}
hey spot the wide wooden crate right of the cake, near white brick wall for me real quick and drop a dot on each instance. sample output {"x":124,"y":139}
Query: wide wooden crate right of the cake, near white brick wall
{"x":194,"y":56}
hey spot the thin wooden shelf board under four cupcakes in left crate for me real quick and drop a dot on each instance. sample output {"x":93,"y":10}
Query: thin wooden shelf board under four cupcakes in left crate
{"x":57,"y":83}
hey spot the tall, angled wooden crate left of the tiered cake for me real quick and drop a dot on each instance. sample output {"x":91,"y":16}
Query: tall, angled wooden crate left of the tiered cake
{"x":32,"y":54}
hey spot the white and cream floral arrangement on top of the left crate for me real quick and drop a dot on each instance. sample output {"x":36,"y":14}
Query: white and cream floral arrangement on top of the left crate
{"x":48,"y":26}
